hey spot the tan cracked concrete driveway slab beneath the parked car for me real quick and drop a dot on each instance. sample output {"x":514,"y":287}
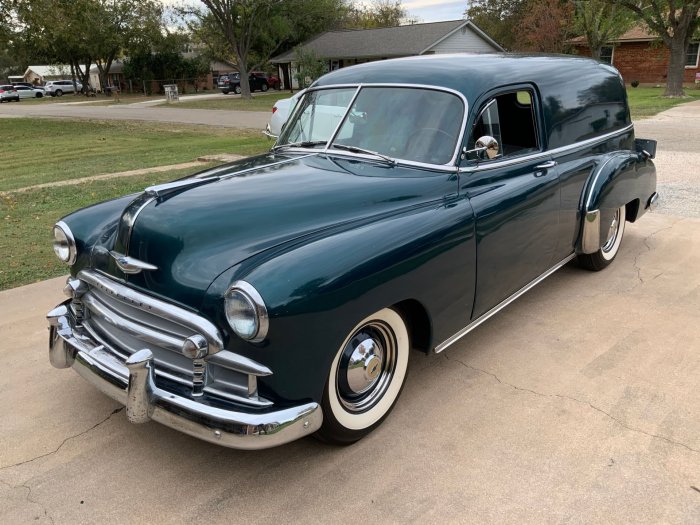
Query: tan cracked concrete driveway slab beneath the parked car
{"x":579,"y":403}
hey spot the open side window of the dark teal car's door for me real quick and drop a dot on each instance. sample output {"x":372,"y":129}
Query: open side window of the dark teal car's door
{"x":510,"y":119}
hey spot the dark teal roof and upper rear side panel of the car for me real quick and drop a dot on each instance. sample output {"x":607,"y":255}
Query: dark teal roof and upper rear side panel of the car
{"x":570,"y":88}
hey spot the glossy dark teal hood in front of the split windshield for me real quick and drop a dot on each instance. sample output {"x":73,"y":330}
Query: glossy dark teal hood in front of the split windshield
{"x":243,"y":209}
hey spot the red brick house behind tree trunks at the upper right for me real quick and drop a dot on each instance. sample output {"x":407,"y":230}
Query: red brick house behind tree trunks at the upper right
{"x":640,"y":55}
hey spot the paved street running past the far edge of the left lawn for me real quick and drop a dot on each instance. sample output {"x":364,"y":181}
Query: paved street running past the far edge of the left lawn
{"x":143,"y":111}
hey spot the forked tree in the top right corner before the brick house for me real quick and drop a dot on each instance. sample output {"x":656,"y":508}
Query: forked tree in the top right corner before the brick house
{"x":675,"y":21}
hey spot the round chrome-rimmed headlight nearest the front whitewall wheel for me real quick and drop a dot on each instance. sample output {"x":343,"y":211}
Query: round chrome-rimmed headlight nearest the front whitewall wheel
{"x":246,"y":312}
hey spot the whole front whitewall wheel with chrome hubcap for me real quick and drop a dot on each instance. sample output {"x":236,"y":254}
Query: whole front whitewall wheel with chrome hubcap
{"x":365,"y":378}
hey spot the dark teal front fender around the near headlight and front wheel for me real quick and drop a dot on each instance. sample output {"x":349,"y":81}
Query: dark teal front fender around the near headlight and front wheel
{"x":316,"y":292}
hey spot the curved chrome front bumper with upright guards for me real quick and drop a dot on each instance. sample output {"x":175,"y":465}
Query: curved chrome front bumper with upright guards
{"x":133,"y":384}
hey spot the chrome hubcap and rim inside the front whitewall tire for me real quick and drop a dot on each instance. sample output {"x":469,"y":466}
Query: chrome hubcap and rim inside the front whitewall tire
{"x":366,"y":367}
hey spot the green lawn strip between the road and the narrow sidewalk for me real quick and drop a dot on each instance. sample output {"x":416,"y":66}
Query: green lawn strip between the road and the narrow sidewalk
{"x":43,"y":150}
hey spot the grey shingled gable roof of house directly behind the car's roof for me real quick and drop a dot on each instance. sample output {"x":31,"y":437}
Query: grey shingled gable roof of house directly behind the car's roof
{"x":384,"y":42}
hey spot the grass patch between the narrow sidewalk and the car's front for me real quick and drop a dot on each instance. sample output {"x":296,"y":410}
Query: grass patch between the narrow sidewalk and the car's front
{"x":26,"y":218}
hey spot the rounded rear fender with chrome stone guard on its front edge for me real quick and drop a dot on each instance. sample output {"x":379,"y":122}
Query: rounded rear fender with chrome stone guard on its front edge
{"x":620,"y":179}
